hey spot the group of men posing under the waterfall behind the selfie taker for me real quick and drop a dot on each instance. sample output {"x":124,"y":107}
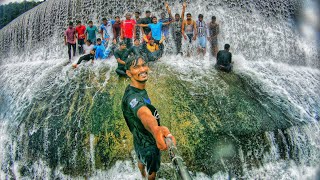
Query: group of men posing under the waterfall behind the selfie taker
{"x":145,"y":37}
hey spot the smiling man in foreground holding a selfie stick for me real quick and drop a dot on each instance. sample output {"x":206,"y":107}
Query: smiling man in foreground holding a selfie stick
{"x":143,"y":119}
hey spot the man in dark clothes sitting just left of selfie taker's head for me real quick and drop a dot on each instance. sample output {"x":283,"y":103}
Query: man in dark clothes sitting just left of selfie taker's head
{"x":121,"y":56}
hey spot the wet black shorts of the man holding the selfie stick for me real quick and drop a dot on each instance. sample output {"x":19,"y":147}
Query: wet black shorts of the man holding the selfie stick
{"x":150,"y":157}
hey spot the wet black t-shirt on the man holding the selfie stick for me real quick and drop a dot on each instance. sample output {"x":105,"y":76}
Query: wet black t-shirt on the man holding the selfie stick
{"x":132,"y":101}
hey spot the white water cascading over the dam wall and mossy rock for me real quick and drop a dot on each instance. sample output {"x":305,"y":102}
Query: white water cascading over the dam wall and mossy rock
{"x":260,"y":122}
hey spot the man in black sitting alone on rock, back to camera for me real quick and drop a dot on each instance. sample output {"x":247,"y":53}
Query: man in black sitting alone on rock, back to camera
{"x":224,"y":59}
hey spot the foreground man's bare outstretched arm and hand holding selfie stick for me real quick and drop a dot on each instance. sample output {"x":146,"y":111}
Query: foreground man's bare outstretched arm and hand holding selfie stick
{"x":150,"y":123}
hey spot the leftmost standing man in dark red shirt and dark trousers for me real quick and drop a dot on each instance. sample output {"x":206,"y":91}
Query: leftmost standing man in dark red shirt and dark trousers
{"x":70,"y":39}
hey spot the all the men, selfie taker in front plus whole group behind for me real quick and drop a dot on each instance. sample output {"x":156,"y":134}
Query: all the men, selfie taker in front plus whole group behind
{"x":134,"y":43}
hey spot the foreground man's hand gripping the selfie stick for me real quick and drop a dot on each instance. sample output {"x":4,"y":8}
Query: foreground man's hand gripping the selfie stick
{"x":160,"y":133}
